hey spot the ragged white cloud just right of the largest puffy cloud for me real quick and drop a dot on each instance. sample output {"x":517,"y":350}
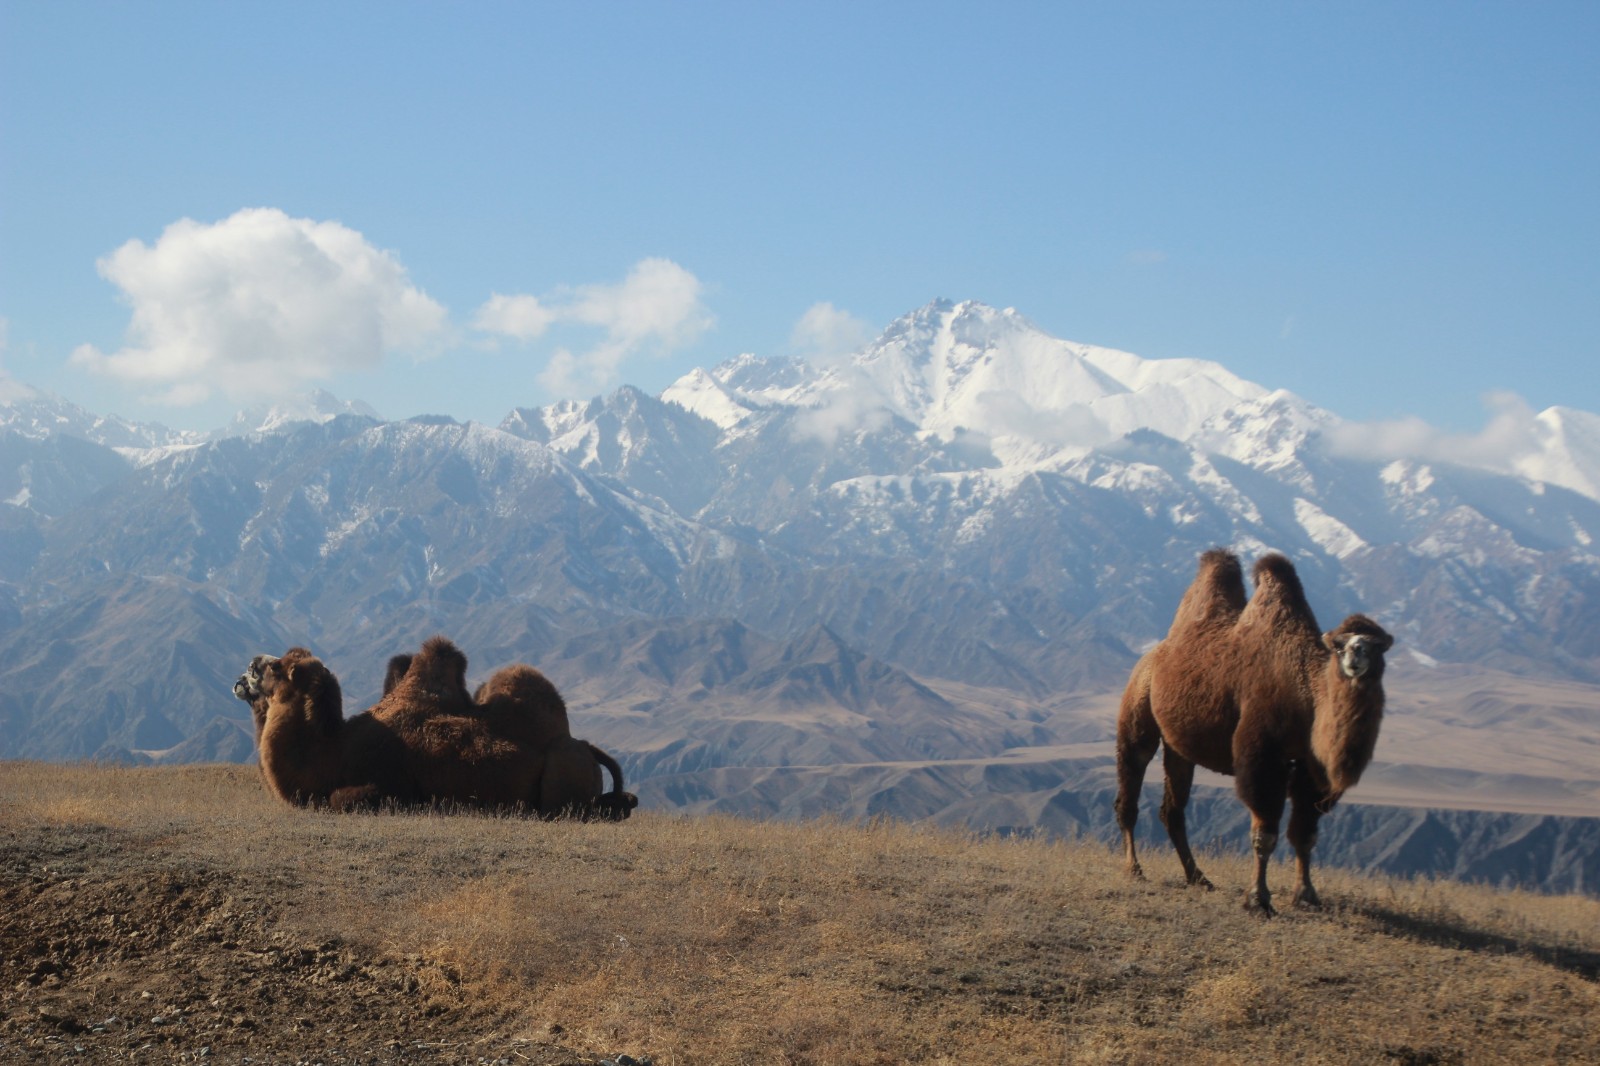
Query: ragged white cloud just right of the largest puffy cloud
{"x":655,"y":310}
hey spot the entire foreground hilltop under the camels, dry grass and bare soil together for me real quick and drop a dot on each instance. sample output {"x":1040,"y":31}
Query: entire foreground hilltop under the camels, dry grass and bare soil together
{"x":182,"y":915}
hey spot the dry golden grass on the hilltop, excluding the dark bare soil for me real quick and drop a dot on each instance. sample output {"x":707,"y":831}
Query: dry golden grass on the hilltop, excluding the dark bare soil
{"x":714,"y":940}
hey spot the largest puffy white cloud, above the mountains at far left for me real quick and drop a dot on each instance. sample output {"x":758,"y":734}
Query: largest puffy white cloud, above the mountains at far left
{"x":260,"y":303}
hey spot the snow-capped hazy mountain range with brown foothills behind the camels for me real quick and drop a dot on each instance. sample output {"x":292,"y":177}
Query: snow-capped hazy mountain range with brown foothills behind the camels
{"x":946,"y":550}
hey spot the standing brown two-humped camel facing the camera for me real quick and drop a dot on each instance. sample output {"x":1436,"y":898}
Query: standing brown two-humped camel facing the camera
{"x":1258,"y":692}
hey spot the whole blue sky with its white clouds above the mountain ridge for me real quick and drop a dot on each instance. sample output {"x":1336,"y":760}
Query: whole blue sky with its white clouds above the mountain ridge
{"x":1390,"y":209}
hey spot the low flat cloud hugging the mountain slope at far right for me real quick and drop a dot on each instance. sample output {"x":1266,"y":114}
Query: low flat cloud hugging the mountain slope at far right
{"x":1513,"y":433}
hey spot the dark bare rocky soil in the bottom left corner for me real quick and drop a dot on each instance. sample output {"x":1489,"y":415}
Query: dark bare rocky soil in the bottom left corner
{"x":105,"y":958}
